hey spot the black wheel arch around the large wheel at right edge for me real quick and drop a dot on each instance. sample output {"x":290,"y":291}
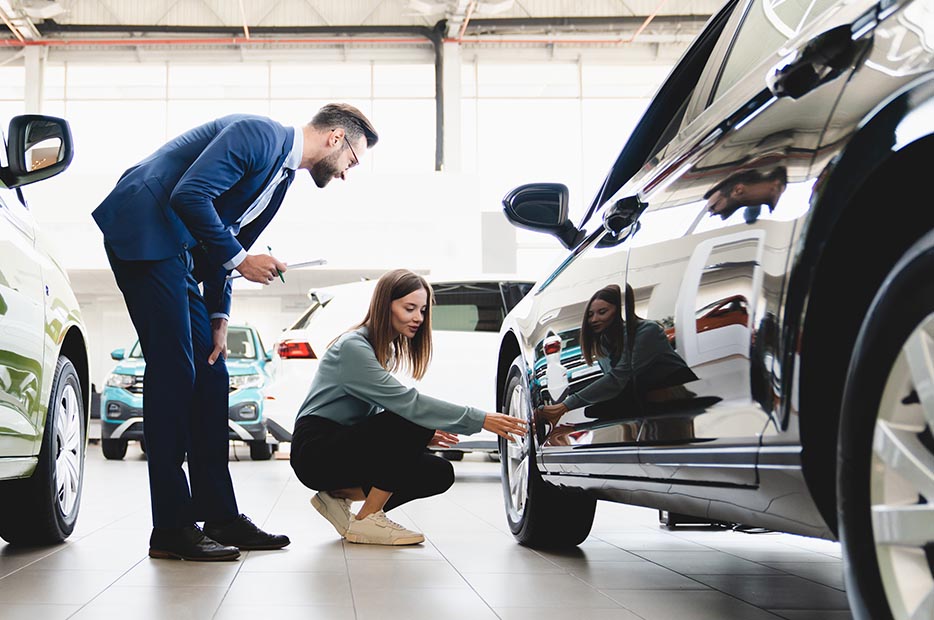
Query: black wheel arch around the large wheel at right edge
{"x":853,"y":239}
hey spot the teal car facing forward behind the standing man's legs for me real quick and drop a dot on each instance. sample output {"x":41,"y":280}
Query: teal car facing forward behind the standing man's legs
{"x":122,"y":399}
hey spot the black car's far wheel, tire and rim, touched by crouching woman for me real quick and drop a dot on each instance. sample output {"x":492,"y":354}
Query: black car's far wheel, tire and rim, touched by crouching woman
{"x":540,"y":515}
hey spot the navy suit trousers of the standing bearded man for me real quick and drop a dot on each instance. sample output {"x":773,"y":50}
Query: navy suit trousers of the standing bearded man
{"x":184,"y":397}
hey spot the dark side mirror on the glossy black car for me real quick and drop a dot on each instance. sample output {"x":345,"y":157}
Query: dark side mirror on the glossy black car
{"x":542,"y":207}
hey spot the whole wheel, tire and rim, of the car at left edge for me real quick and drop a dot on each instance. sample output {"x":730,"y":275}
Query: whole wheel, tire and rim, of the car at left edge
{"x":43,"y":508}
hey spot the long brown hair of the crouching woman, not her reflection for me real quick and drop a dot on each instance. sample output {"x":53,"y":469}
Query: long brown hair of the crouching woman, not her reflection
{"x":395,"y":351}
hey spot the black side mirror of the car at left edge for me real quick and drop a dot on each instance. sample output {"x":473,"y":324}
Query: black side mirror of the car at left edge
{"x":39,"y":147}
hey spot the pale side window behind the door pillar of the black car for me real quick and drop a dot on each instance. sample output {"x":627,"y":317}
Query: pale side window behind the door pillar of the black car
{"x":767,"y":25}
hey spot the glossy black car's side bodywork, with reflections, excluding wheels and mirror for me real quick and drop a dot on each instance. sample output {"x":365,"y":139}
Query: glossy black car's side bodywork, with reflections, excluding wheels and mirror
{"x":755,"y":178}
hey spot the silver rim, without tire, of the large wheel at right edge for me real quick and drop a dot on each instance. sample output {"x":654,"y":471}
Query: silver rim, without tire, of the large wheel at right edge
{"x":902,"y":478}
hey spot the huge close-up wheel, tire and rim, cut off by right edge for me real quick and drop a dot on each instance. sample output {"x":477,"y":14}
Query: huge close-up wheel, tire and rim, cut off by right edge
{"x":885,"y":496}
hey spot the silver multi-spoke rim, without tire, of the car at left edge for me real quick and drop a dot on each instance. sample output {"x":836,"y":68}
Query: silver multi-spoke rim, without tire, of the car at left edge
{"x":67,"y":445}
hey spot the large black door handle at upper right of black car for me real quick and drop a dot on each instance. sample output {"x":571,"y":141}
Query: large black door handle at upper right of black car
{"x":824,"y":58}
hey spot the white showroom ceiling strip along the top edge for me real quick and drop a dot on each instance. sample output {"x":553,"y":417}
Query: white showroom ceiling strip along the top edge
{"x":465,"y":19}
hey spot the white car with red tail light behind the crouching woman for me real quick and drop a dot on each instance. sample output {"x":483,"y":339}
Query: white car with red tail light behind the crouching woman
{"x":466,"y":319}
